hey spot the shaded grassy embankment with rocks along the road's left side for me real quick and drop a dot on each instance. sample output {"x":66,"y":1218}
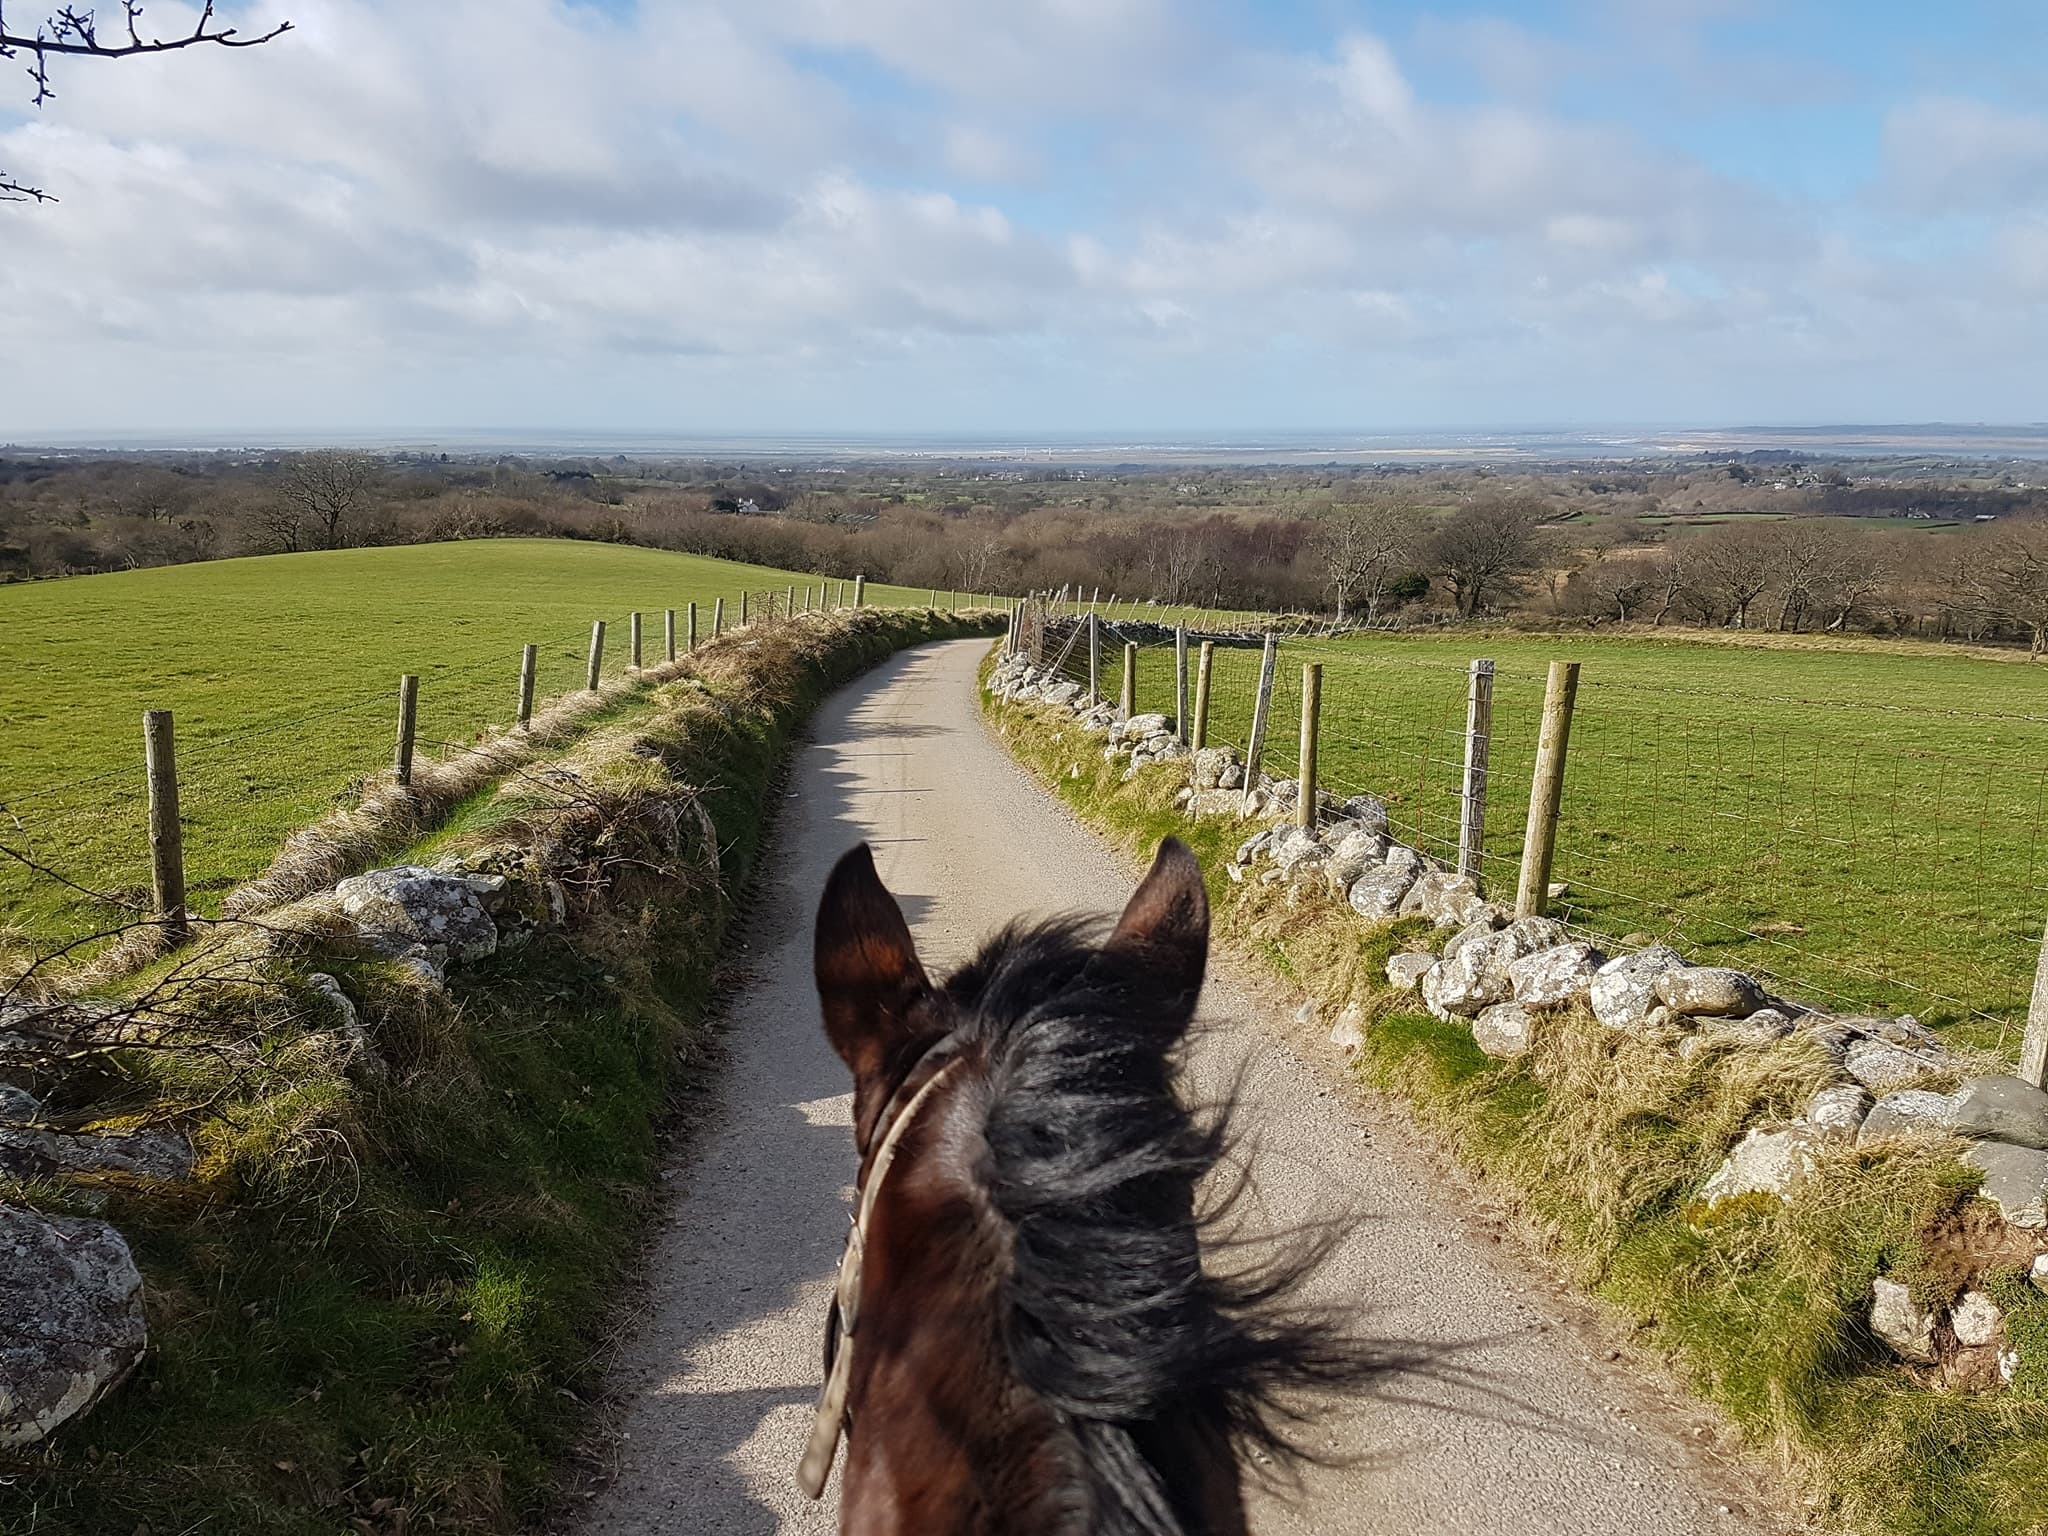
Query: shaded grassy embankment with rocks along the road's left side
{"x":333,"y":1205}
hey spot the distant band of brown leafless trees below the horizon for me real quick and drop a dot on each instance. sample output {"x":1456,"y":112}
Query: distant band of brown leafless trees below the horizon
{"x":1371,"y":550}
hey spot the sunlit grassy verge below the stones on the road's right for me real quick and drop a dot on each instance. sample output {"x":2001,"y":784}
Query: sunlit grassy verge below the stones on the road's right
{"x":1601,"y":1142}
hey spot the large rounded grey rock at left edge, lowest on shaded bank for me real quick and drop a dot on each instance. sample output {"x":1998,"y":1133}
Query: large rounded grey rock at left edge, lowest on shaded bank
{"x":73,"y":1322}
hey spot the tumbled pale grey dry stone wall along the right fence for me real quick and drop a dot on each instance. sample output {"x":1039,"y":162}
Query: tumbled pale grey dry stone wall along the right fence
{"x":1498,"y":974}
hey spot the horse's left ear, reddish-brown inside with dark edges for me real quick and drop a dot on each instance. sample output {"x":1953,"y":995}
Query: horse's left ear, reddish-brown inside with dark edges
{"x":867,"y":968}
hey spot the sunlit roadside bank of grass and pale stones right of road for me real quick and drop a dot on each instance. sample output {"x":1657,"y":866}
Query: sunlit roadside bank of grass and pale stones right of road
{"x":1832,"y":1228}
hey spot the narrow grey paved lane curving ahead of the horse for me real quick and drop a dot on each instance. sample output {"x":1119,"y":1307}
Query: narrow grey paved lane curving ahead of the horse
{"x":720,"y":1379}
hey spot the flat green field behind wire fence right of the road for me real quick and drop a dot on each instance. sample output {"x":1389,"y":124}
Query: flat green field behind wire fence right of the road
{"x":1863,"y":822}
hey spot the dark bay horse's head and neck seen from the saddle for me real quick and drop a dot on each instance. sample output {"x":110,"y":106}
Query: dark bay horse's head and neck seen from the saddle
{"x":1025,"y":1338}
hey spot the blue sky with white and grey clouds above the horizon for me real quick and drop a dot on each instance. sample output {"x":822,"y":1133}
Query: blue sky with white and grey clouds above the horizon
{"x":1037,"y":216}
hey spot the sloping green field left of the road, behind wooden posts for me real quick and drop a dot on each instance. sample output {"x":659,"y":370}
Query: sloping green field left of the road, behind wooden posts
{"x":284,"y":679}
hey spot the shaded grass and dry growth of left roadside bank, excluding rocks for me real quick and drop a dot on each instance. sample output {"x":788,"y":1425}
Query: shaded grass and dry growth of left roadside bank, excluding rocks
{"x":380,"y":1304}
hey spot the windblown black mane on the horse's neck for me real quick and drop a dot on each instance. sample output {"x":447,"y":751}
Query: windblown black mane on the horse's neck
{"x":1093,"y":1164}
